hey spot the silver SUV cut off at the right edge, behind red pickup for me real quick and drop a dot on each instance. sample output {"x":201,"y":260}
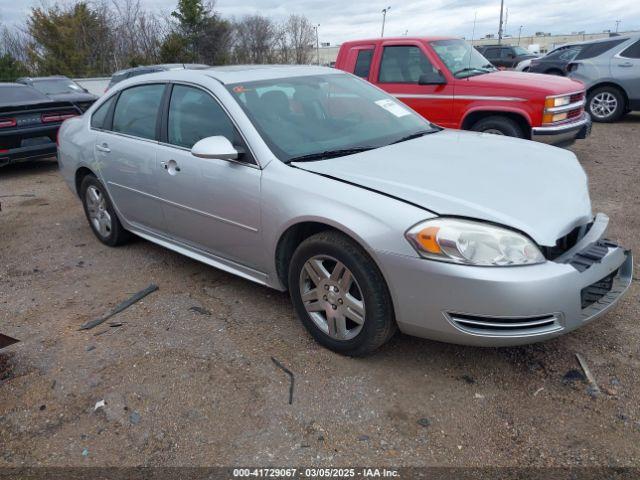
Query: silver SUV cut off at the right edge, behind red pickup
{"x":612,"y":80}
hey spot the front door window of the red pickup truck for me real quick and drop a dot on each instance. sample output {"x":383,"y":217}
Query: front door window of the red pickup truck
{"x":403,"y":64}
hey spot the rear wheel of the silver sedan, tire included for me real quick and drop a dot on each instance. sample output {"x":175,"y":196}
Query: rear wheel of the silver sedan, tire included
{"x":100,"y":213}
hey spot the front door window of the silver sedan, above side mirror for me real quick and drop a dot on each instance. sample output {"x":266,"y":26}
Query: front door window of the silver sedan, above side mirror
{"x":194,"y":115}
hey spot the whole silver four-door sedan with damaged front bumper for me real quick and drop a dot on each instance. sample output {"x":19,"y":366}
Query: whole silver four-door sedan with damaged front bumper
{"x":311,"y":180}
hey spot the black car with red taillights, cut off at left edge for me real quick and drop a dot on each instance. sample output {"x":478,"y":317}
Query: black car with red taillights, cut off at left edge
{"x":29,"y":123}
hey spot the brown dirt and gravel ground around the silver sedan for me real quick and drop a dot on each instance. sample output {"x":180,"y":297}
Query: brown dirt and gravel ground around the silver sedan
{"x":187,"y":388}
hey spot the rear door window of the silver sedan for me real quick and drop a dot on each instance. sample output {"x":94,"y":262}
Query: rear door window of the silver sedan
{"x":137,"y":111}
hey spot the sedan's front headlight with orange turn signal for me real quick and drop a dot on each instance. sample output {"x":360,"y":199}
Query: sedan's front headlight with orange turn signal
{"x":472,"y":243}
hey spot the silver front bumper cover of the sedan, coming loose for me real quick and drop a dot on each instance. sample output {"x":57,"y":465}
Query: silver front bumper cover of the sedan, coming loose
{"x":501,"y":306}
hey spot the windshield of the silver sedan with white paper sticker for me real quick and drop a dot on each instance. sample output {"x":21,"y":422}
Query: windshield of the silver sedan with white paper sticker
{"x":324,"y":116}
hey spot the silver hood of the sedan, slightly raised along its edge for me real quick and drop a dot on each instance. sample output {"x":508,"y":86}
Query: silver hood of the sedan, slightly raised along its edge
{"x":534,"y":188}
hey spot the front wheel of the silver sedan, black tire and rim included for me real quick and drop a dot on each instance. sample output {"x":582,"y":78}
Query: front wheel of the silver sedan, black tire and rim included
{"x":339,"y":295}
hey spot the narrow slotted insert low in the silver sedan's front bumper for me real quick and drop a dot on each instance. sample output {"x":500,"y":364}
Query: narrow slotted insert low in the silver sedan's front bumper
{"x":505,"y":326}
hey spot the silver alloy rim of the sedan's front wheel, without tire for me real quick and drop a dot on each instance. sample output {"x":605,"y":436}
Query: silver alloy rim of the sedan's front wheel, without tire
{"x":332,"y":297}
